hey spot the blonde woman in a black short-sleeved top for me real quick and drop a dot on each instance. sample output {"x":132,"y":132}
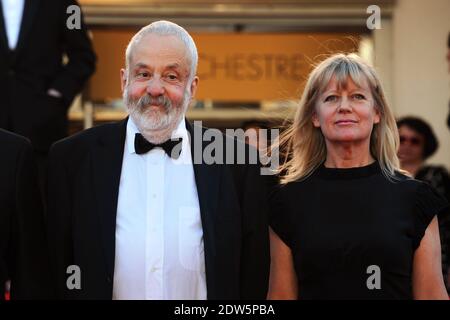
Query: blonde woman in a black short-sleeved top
{"x":346,"y":222}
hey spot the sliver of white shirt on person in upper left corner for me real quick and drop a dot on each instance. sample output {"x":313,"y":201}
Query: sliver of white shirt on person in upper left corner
{"x":12,"y":14}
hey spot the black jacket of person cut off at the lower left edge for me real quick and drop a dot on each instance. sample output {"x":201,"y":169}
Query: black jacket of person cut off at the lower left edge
{"x":23,"y":249}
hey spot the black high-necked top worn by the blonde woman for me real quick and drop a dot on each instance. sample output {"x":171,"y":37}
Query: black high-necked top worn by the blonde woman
{"x":353,"y":232}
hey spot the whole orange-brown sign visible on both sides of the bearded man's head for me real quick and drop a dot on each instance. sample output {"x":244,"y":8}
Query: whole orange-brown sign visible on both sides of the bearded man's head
{"x":232,"y":67}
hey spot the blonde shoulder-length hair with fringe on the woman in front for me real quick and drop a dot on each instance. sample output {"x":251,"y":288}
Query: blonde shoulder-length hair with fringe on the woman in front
{"x":304,"y":145}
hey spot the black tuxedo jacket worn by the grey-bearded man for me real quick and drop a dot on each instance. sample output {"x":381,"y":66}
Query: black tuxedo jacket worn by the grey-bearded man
{"x":83,"y":192}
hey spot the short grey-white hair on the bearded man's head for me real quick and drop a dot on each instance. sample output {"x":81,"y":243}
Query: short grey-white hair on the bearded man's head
{"x":164,"y":28}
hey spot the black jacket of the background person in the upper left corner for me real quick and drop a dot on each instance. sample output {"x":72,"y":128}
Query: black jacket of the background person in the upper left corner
{"x":36,"y":65}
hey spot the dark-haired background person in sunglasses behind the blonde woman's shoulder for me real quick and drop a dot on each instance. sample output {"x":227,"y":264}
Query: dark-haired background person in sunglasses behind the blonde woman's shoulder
{"x":417,"y":143}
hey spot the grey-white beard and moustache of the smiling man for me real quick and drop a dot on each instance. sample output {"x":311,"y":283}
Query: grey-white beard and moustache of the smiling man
{"x":156,"y":125}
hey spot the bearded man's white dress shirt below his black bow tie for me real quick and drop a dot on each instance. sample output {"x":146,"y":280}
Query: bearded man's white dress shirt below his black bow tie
{"x":159,"y":235}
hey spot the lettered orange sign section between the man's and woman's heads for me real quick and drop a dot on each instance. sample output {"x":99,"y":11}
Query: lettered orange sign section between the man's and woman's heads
{"x":254,"y":67}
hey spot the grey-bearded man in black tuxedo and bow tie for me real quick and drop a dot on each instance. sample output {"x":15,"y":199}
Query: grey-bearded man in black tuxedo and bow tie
{"x":131,"y":215}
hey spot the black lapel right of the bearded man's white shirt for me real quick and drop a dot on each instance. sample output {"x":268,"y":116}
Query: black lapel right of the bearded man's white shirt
{"x":207,"y":178}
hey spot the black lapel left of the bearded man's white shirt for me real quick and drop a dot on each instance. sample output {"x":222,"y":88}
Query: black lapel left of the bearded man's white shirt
{"x":107,"y":167}
